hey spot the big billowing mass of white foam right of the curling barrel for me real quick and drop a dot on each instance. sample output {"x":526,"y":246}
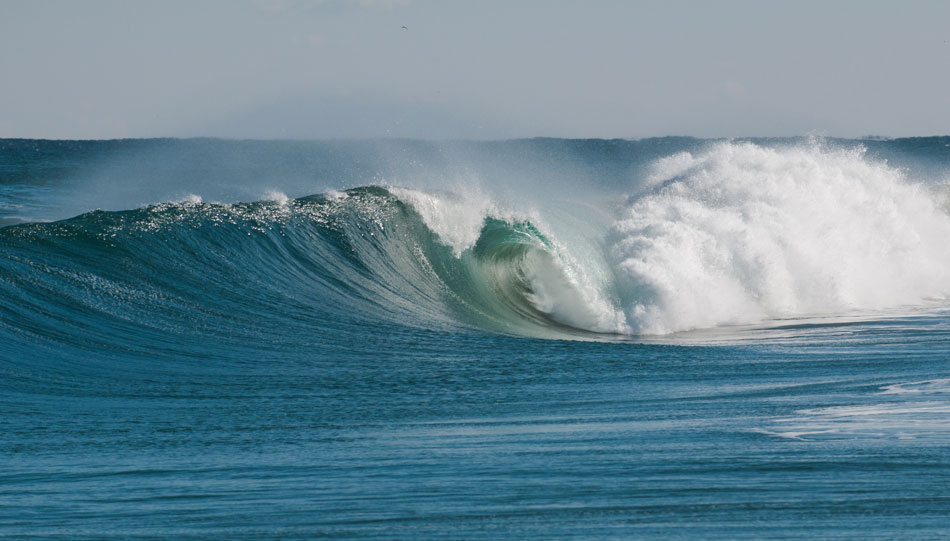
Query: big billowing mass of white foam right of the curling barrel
{"x":741,"y":233}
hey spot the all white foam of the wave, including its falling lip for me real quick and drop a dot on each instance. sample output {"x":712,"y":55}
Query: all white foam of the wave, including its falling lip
{"x":735,"y":234}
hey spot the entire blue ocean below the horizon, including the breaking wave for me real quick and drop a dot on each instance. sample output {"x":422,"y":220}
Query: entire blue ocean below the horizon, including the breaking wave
{"x":664,"y":338}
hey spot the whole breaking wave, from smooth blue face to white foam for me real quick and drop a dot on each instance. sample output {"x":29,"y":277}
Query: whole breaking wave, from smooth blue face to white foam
{"x":724,"y":234}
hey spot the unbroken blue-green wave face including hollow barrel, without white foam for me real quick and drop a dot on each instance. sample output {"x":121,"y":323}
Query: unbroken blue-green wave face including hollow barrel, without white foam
{"x":311,"y":267}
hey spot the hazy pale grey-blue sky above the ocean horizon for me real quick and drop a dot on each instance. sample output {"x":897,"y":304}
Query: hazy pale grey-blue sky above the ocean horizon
{"x":326,"y":69}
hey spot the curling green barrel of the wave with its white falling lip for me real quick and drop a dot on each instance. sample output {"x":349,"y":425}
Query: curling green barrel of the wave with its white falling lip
{"x":510,"y":269}
